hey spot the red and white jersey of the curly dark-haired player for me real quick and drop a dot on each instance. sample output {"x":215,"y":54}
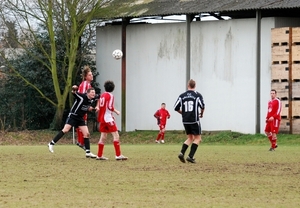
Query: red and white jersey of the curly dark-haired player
{"x":106,"y":108}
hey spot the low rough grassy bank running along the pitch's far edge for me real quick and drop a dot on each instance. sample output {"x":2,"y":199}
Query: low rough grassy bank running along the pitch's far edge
{"x":146,"y":137}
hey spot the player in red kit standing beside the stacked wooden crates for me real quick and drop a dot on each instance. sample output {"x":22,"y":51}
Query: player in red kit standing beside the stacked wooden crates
{"x":273,"y":119}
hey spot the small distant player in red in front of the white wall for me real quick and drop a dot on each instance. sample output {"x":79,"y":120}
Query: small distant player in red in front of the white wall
{"x":161,"y":115}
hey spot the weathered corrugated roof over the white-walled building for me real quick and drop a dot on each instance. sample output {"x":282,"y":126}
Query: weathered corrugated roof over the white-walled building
{"x":144,"y":8}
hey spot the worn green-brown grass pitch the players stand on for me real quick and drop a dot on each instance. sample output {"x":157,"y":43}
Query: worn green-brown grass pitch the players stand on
{"x":244,"y":175}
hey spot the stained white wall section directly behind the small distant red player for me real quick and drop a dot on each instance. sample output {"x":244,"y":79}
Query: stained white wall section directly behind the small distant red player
{"x":156,"y":73}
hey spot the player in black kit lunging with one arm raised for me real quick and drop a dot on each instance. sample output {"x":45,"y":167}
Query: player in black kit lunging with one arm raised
{"x":75,"y":118}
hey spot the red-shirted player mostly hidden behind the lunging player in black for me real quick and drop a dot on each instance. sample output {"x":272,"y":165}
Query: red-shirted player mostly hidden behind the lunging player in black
{"x":87,"y":78}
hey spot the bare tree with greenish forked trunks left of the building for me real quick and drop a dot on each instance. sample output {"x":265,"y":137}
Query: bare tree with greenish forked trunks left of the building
{"x":69,"y":18}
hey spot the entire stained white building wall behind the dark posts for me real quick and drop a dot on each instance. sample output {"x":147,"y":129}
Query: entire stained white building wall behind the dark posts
{"x":223,"y":62}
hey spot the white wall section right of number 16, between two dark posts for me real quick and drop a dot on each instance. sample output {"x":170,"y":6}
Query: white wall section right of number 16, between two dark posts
{"x":224,"y":66}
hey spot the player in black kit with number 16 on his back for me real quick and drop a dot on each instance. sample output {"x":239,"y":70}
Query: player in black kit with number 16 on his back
{"x":191,"y":106}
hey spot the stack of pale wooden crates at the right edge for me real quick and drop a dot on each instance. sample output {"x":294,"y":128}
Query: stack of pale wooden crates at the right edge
{"x":286,"y":75}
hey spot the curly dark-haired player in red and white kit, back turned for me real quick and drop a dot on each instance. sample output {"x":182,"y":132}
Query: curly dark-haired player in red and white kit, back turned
{"x":107,"y":122}
